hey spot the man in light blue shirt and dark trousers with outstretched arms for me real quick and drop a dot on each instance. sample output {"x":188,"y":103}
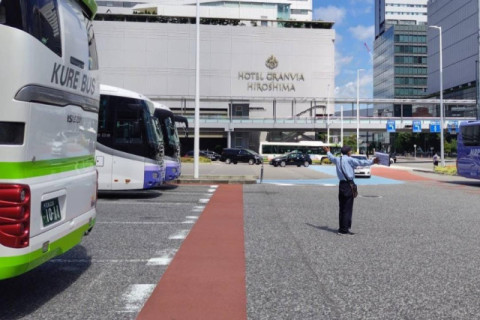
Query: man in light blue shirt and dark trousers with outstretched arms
{"x":346,"y":174}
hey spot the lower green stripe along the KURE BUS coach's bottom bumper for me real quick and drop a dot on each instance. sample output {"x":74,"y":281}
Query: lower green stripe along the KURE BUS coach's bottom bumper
{"x":16,"y":265}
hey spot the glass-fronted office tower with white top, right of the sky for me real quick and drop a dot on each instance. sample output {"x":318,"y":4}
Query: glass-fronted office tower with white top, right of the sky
{"x":400,"y":55}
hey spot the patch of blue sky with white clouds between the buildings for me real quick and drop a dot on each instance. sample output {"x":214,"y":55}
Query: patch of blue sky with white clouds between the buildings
{"x":355,"y":32}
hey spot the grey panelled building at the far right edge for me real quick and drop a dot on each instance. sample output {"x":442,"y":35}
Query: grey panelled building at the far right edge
{"x":459,"y":22}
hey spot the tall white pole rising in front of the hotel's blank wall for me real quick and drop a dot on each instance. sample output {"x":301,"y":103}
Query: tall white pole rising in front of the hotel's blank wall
{"x":196,"y":140}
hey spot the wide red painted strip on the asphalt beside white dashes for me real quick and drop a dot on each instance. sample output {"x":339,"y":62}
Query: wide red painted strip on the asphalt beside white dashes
{"x":206,"y":279}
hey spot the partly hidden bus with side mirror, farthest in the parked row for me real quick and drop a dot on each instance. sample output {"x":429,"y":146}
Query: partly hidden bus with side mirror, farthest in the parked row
{"x":167,"y":123}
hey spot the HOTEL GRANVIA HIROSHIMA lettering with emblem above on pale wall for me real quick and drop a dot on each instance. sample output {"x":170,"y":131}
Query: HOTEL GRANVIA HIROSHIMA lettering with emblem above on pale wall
{"x":271,"y":81}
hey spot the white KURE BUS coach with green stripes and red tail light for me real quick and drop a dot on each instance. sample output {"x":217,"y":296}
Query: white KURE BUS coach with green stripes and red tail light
{"x":49,"y":101}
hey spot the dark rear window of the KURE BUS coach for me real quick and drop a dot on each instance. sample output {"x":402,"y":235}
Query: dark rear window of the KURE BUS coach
{"x":37,"y":17}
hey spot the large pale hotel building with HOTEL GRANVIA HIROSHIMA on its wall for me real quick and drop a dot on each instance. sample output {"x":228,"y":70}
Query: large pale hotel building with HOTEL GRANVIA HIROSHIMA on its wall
{"x":250,"y":66}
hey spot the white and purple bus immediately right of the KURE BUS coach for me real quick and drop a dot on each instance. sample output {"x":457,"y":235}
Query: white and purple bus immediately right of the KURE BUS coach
{"x":130,"y":148}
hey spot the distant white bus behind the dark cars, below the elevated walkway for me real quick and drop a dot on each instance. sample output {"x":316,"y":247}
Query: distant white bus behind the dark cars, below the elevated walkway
{"x":269,"y":150}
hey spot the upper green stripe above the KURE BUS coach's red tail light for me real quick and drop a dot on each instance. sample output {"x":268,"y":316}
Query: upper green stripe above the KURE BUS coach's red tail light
{"x":31,"y":169}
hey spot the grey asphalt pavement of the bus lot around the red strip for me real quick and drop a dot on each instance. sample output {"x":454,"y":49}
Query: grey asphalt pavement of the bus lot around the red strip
{"x":415,"y":254}
